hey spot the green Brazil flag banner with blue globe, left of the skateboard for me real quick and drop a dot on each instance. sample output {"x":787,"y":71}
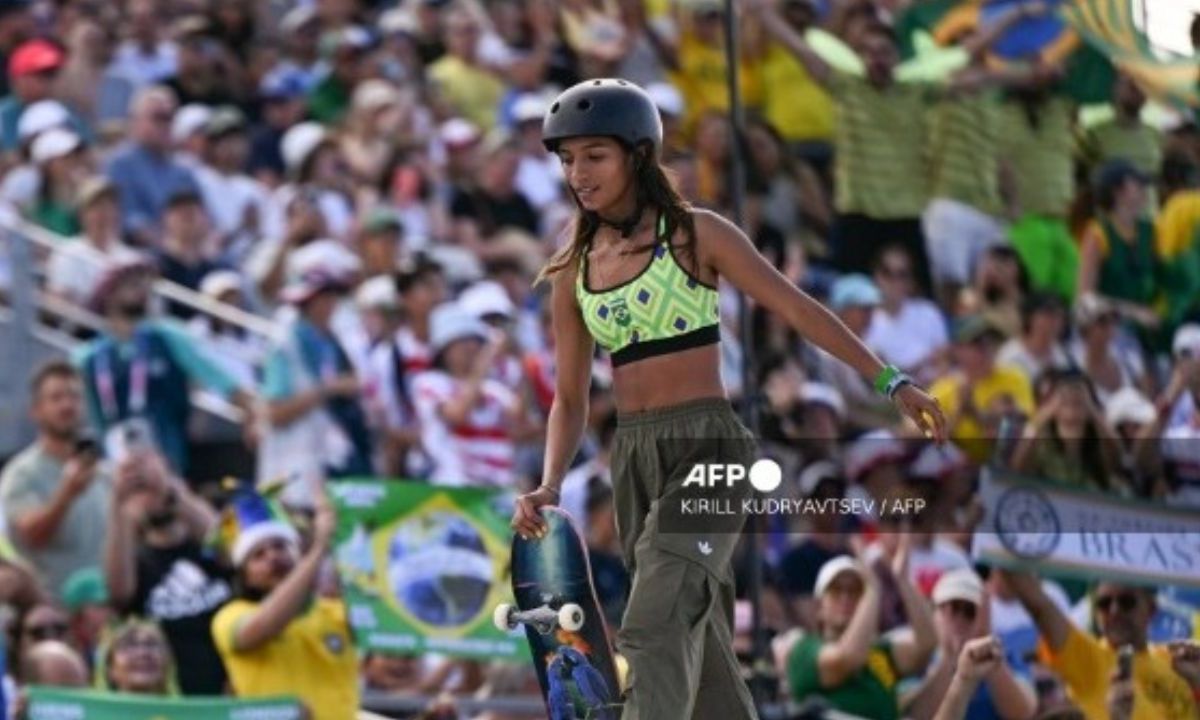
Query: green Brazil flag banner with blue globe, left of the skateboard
{"x":424,"y":567}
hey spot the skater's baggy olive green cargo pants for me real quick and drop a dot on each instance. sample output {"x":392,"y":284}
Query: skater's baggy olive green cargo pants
{"x":677,"y":629}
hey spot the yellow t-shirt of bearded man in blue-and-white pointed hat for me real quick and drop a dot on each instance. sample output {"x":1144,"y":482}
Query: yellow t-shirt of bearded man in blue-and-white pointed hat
{"x":313,"y":659}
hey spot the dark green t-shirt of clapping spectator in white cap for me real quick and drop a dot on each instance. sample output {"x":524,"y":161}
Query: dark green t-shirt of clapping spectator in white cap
{"x":869,"y":693}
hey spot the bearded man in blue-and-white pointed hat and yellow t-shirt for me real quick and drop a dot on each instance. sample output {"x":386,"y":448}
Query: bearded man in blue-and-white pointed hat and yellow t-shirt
{"x":279,"y":637}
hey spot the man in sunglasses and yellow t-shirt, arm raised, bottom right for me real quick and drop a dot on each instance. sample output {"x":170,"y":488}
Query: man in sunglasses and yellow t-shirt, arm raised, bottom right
{"x":1165,"y":680}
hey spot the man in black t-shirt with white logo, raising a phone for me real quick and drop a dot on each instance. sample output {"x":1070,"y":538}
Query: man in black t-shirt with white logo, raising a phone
{"x":157,"y":566}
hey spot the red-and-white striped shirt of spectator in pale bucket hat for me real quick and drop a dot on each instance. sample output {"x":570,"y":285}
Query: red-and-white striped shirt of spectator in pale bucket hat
{"x":478,"y":453}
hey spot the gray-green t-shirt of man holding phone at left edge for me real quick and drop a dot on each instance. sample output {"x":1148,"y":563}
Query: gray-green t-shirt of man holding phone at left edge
{"x":31,"y":482}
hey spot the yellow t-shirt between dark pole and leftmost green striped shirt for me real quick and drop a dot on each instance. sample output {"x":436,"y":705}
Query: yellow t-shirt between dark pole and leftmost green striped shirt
{"x":793,"y":101}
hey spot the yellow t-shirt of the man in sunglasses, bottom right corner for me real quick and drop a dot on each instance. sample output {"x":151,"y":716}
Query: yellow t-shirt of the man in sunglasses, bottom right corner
{"x":1085,"y":664}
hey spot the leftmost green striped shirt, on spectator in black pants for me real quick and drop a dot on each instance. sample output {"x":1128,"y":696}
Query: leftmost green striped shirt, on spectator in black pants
{"x":880,"y":141}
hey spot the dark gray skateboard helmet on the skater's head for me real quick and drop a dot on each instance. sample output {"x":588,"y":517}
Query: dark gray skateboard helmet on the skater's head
{"x":608,"y":107}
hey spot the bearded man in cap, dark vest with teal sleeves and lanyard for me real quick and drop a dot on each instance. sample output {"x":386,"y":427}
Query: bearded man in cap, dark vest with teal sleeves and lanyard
{"x":137,"y":375}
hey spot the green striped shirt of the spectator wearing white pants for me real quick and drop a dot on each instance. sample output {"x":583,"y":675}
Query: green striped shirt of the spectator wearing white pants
{"x":963,"y":157}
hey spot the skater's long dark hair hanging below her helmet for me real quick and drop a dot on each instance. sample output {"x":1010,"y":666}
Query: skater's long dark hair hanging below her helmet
{"x":656,"y":189}
